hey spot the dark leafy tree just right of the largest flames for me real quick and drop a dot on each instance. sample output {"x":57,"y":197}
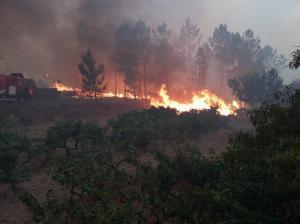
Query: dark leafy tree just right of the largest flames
{"x":256,"y":88}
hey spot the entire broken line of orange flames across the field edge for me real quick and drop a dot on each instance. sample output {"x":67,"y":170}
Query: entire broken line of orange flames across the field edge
{"x":201,"y":100}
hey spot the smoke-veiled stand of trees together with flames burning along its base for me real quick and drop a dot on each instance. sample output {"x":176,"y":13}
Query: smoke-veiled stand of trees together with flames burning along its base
{"x":190,"y":76}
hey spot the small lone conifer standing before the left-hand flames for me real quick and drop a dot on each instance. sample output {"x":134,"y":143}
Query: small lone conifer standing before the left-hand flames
{"x":91,"y":74}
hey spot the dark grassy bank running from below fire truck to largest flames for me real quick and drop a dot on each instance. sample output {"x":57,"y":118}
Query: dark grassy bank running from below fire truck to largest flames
{"x":44,"y":112}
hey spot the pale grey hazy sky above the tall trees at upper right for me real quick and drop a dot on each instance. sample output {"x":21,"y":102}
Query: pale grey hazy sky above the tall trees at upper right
{"x":276,"y":22}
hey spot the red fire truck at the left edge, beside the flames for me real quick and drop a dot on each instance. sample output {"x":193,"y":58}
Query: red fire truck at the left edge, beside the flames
{"x":16,"y":87}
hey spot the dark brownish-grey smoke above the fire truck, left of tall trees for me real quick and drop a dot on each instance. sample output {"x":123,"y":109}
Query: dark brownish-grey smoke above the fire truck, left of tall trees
{"x":45,"y":38}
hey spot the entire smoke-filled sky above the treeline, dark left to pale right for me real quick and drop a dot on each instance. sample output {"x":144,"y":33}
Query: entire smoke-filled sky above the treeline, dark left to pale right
{"x":46,"y":37}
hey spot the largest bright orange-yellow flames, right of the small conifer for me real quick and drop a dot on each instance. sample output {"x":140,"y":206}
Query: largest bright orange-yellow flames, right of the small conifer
{"x":202,"y":100}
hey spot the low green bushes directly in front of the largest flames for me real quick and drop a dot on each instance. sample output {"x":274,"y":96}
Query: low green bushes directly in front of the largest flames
{"x":136,"y":130}
